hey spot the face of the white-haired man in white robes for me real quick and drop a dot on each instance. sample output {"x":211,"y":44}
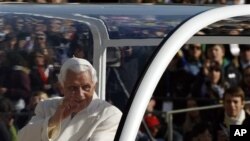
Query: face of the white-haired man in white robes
{"x":79,"y":87}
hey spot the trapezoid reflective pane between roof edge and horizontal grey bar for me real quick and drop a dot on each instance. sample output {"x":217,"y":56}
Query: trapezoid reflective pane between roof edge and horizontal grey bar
{"x":140,"y":27}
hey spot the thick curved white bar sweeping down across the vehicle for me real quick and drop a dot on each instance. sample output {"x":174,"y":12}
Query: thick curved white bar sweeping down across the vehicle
{"x":163,"y":58}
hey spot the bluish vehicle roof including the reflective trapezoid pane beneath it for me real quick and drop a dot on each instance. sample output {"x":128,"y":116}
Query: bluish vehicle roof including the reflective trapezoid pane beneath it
{"x":138,"y":21}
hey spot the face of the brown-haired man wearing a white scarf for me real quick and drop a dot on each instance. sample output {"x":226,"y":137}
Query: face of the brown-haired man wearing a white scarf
{"x":233,"y":105}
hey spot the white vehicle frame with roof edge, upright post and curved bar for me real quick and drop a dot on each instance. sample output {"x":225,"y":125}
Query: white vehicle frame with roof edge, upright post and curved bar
{"x":198,"y":18}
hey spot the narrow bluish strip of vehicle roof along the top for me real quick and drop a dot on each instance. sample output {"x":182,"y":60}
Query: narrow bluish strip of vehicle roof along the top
{"x":65,"y":10}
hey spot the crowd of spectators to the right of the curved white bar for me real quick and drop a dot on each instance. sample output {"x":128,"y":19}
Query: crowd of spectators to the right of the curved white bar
{"x":202,"y":75}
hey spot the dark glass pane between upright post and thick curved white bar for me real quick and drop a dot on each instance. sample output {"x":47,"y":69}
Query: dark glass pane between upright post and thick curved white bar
{"x":124,"y":66}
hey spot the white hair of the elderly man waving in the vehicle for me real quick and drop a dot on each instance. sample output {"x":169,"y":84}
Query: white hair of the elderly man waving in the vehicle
{"x":76,"y":65}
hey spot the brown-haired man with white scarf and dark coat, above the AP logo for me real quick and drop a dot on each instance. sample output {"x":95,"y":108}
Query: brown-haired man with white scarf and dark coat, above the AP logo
{"x":233,"y":113}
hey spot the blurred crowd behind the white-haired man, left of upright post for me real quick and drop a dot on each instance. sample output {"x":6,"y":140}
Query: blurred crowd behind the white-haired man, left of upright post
{"x":32,"y":51}
